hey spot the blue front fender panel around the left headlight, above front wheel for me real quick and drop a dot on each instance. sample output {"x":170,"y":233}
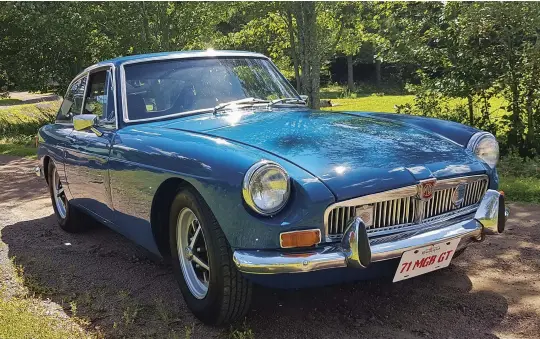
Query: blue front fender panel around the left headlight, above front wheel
{"x":142,"y":158}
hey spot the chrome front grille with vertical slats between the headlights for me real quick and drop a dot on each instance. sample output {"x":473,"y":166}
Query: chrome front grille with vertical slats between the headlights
{"x":397,"y":209}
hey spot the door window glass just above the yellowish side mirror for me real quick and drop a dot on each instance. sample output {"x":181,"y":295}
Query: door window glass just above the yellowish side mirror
{"x":99,"y":98}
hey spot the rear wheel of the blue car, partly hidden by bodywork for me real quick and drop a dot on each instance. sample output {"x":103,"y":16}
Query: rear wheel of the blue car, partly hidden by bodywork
{"x":69,"y":218}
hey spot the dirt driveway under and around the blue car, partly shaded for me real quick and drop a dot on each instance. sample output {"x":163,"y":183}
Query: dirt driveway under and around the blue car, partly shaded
{"x":492,"y":291}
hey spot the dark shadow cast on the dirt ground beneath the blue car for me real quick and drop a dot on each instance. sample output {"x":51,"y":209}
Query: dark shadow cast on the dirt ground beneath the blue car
{"x":122,"y":292}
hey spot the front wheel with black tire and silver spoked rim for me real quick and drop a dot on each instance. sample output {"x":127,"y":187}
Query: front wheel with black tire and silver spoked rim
{"x":214,"y":290}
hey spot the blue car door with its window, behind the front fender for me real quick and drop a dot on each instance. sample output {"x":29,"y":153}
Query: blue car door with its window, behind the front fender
{"x":87,"y":158}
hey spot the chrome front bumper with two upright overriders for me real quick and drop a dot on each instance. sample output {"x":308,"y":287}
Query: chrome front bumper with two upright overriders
{"x":358,"y":251}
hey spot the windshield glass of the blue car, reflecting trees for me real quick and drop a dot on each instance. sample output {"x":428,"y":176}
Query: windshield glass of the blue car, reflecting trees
{"x":160,"y":88}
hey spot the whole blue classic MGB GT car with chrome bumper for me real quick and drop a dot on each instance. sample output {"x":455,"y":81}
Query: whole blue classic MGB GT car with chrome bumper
{"x":212,"y":160}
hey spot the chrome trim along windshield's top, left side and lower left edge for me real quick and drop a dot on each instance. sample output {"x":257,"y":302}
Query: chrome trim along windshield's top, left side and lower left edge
{"x":199,"y":54}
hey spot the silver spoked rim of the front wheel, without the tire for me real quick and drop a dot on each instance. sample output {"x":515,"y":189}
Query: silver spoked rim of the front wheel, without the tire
{"x":192,"y":253}
